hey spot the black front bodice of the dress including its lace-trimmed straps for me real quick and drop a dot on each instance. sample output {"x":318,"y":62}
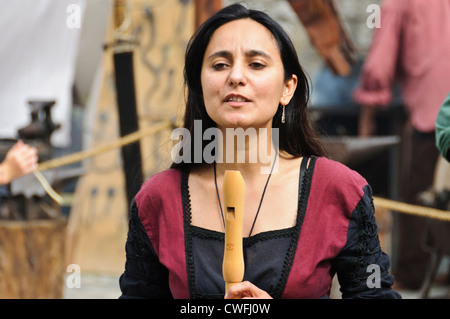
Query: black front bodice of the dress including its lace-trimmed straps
{"x":268,"y":256}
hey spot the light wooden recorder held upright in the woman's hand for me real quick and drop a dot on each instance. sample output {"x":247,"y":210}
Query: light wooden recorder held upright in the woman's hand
{"x":233,"y":258}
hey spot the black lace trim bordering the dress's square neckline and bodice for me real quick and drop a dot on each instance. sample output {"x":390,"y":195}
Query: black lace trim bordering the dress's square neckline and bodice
{"x":189,"y":229}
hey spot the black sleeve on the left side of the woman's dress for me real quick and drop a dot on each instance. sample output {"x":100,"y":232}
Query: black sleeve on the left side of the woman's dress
{"x":144,"y":275}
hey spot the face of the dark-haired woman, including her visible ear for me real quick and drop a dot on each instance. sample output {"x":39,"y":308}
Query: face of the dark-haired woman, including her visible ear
{"x":242,"y":76}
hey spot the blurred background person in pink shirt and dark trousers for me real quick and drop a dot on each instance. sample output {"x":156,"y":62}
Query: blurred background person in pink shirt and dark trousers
{"x":409,"y":46}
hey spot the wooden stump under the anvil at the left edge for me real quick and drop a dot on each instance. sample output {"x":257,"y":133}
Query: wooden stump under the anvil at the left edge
{"x":32,"y":259}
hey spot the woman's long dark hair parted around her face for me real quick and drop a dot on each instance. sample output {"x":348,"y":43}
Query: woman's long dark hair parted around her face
{"x":297,"y":136}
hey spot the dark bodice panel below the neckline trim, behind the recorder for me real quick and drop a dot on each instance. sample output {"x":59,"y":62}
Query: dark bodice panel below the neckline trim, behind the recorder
{"x":262,"y":255}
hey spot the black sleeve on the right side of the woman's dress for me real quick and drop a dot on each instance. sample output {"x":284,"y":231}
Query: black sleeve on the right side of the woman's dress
{"x":361,"y":266}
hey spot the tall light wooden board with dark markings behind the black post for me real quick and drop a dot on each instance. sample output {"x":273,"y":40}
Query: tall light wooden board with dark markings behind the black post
{"x":98,"y":222}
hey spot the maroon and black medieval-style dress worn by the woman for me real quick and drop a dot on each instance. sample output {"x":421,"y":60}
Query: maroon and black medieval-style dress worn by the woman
{"x":335,"y":232}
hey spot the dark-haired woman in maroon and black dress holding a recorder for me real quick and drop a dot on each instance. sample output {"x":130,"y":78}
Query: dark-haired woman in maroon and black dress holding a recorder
{"x":313,"y":219}
